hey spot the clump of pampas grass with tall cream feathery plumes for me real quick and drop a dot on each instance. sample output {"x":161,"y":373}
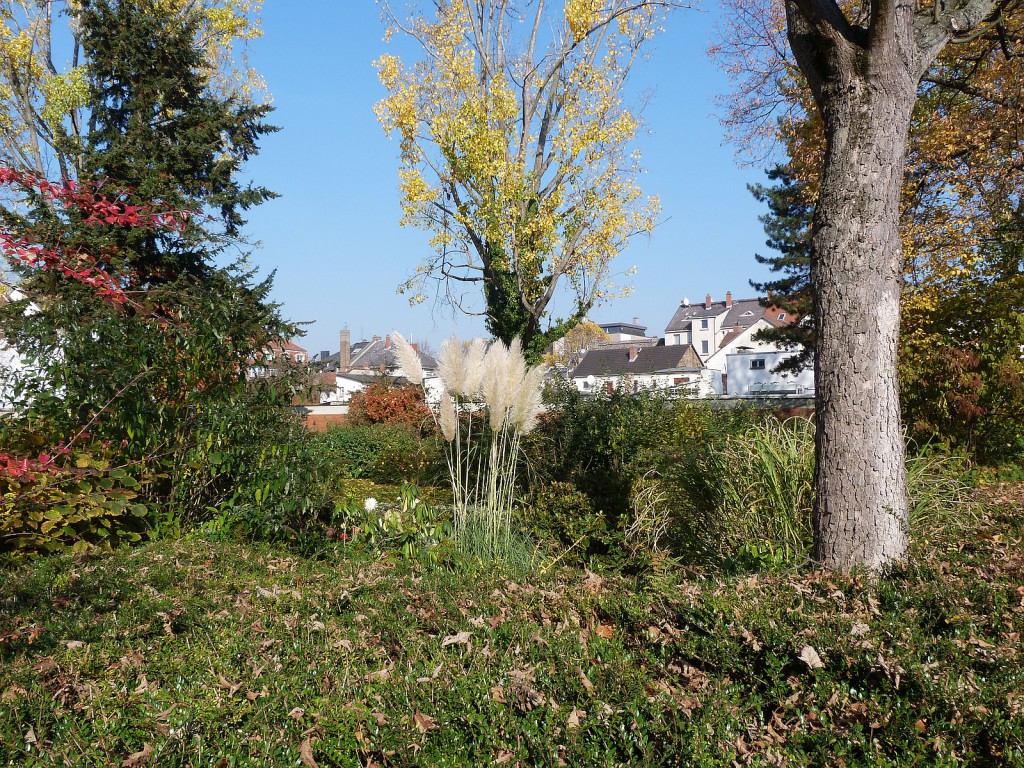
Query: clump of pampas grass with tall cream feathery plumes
{"x":490,"y":401}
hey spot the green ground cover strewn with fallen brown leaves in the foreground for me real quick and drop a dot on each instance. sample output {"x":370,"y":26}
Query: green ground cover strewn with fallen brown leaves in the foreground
{"x":198,"y":653}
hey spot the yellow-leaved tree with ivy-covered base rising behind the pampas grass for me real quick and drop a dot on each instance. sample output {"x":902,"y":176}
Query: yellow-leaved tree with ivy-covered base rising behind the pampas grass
{"x":516,"y":151}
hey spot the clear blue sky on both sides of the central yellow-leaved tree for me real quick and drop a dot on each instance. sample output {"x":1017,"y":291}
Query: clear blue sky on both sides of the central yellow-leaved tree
{"x":333,"y":237}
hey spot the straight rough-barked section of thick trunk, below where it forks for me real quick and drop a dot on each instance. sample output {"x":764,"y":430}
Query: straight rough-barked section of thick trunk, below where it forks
{"x":862,"y":509}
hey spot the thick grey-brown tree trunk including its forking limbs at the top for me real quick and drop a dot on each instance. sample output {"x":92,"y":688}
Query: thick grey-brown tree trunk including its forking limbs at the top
{"x":865,"y":75}
